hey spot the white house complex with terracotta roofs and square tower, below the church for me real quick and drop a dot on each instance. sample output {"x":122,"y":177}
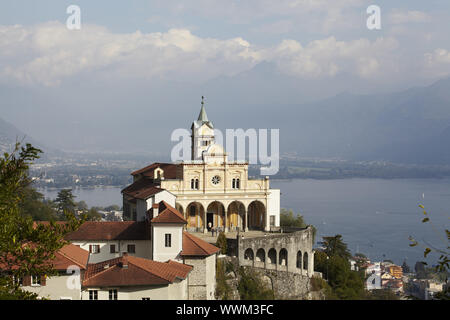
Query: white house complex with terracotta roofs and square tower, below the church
{"x":157,"y":243}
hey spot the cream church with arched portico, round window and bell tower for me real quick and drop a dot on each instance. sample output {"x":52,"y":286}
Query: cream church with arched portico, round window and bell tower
{"x":209,"y":190}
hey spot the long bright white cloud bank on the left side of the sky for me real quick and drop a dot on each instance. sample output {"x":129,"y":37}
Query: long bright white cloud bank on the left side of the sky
{"x":48,"y":53}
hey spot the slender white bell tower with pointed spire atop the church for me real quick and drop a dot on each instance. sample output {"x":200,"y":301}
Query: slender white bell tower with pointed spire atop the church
{"x":202,"y":134}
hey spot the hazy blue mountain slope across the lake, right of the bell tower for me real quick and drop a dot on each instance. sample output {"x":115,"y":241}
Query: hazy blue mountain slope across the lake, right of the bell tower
{"x":412,"y":126}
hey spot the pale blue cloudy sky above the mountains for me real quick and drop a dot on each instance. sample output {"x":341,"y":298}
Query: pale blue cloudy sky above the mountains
{"x":162,"y":45}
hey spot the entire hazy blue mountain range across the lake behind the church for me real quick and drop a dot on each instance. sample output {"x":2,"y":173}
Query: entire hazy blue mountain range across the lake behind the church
{"x":315,"y":118}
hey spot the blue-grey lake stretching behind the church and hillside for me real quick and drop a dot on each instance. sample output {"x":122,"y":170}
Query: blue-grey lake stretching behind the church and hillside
{"x":374,"y":216}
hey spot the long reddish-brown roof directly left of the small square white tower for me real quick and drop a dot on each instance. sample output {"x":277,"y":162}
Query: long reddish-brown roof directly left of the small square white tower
{"x":117,"y":230}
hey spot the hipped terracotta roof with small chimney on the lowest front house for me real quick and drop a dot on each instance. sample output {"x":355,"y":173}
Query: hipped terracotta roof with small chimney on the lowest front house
{"x":139,"y":271}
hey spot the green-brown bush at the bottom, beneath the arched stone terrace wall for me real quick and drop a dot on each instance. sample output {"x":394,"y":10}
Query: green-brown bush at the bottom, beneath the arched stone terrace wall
{"x":251,"y":286}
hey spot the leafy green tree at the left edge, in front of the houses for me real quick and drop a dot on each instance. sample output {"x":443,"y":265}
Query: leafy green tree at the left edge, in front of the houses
{"x":26,"y":248}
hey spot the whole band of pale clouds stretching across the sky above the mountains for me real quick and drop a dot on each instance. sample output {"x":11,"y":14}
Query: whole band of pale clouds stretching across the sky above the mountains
{"x":48,"y":54}
